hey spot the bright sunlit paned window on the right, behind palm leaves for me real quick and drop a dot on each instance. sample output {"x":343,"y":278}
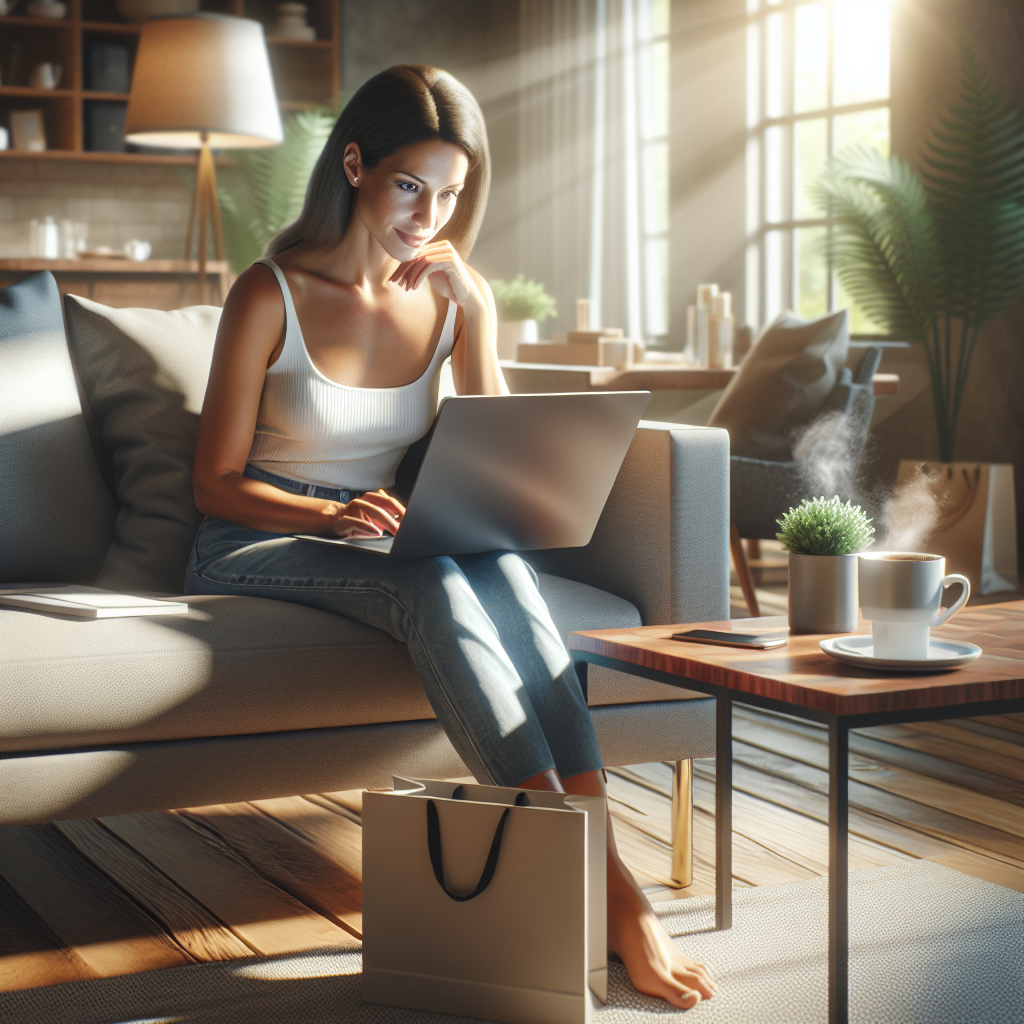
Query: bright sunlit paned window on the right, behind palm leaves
{"x":818,"y":83}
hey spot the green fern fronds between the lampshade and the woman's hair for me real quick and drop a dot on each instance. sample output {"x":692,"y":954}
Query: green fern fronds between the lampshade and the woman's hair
{"x":266,"y":190}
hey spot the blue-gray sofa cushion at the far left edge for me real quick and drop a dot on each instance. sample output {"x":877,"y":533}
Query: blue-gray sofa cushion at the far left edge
{"x":57,"y":515}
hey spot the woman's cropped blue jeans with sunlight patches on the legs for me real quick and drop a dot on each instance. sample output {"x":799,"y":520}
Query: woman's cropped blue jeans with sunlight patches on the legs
{"x":493,"y":665}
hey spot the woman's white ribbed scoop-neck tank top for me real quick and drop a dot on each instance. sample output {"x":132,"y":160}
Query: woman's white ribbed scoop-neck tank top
{"x":313,"y":431}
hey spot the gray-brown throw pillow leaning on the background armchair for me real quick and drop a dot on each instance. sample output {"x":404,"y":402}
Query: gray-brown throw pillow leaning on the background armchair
{"x":783,"y":385}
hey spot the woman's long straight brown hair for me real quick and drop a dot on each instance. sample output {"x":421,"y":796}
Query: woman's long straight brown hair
{"x":404,"y":105}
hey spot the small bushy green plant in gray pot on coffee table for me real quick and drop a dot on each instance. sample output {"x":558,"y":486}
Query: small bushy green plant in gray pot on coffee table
{"x":824,"y":537}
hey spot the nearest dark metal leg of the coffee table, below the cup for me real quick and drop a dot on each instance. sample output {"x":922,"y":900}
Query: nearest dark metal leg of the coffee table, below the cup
{"x":839,"y":872}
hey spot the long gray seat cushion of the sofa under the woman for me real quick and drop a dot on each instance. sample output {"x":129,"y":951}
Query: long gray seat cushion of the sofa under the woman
{"x":233,"y":666}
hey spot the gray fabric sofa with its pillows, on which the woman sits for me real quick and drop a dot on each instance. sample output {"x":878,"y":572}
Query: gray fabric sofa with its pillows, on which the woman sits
{"x":246,"y":698}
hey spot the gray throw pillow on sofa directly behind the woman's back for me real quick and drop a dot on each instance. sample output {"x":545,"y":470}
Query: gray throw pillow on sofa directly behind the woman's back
{"x":144,"y":373}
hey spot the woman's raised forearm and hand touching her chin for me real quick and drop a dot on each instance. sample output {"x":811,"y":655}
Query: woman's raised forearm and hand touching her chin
{"x":475,"y":359}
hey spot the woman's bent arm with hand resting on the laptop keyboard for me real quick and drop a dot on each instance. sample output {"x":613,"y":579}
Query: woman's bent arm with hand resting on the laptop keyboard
{"x":249,"y":339}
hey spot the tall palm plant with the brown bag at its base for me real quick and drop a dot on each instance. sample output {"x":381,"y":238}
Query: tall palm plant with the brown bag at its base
{"x":933,"y":259}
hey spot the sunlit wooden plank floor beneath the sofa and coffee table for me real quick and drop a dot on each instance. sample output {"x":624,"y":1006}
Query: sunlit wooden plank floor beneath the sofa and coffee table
{"x":141,"y":892}
